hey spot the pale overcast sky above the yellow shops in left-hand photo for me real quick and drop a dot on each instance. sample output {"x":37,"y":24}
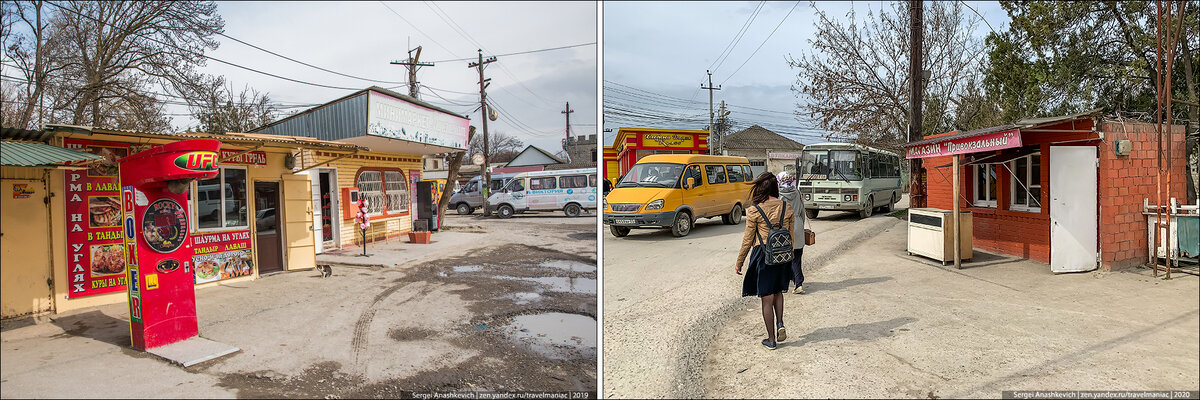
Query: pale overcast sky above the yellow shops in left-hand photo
{"x":361,"y":39}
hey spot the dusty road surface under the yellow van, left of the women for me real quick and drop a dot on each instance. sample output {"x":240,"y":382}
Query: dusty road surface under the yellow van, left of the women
{"x":665,"y":298}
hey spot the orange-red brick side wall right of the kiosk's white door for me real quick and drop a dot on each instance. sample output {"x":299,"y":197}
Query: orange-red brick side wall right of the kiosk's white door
{"x":1125,"y":182}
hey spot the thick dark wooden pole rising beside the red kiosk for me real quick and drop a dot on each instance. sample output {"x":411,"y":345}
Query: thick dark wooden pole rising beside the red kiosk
{"x":916,"y":86}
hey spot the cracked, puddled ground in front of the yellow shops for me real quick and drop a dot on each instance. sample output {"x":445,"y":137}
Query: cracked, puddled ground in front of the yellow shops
{"x":490,"y":306}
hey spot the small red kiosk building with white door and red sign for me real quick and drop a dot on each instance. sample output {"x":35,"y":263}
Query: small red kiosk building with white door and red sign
{"x":1061,"y":190}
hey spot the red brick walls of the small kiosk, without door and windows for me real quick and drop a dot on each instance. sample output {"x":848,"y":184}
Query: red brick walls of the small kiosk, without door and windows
{"x":1124,"y":182}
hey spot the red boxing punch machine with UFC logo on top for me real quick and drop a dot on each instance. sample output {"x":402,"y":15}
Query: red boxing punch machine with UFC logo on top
{"x":159,"y":253}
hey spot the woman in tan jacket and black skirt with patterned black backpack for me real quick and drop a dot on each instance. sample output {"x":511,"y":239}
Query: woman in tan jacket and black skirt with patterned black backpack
{"x":763,"y":279}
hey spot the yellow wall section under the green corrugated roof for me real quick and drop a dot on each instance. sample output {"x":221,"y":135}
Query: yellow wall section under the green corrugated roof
{"x":26,"y":266}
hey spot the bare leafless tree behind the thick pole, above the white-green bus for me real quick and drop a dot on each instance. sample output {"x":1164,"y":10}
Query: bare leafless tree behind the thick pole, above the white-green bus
{"x":855,"y":82}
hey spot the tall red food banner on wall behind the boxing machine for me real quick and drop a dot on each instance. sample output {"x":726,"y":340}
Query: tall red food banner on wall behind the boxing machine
{"x":95,"y":237}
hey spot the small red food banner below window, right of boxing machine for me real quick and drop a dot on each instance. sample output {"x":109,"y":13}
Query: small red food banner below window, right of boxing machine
{"x":223,"y":255}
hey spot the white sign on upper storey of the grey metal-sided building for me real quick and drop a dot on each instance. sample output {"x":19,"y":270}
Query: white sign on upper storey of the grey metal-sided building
{"x":394,"y":118}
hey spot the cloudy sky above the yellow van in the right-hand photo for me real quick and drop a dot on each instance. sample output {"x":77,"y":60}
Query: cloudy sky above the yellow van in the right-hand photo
{"x":665,"y":49}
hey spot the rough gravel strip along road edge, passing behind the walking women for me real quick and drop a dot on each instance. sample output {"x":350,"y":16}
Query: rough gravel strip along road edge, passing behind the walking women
{"x":689,"y":366}
